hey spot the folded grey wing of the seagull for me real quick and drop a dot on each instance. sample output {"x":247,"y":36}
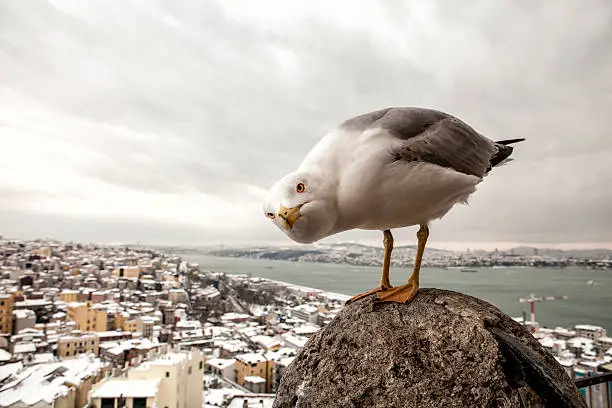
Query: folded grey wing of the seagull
{"x":434,"y":137}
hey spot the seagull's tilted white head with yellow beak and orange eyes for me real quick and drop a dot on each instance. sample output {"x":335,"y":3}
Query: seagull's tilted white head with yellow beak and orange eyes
{"x":303,"y":206}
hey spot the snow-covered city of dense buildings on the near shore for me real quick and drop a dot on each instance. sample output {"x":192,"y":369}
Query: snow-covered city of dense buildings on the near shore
{"x":92,"y":325}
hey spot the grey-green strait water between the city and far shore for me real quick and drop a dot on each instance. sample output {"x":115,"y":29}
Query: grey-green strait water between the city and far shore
{"x":589,"y":291}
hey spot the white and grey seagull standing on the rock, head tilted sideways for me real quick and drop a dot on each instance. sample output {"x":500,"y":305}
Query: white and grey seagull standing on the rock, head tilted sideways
{"x":384,"y":170}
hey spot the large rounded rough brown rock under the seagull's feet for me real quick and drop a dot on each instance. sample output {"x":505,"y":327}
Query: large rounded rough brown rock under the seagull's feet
{"x":443,"y":349}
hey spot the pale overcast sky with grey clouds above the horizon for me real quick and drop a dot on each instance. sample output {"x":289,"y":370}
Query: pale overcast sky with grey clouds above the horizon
{"x":165,"y":121}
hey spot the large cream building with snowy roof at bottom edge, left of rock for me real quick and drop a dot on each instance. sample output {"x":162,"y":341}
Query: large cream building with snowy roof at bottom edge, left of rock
{"x":172,"y":380}
